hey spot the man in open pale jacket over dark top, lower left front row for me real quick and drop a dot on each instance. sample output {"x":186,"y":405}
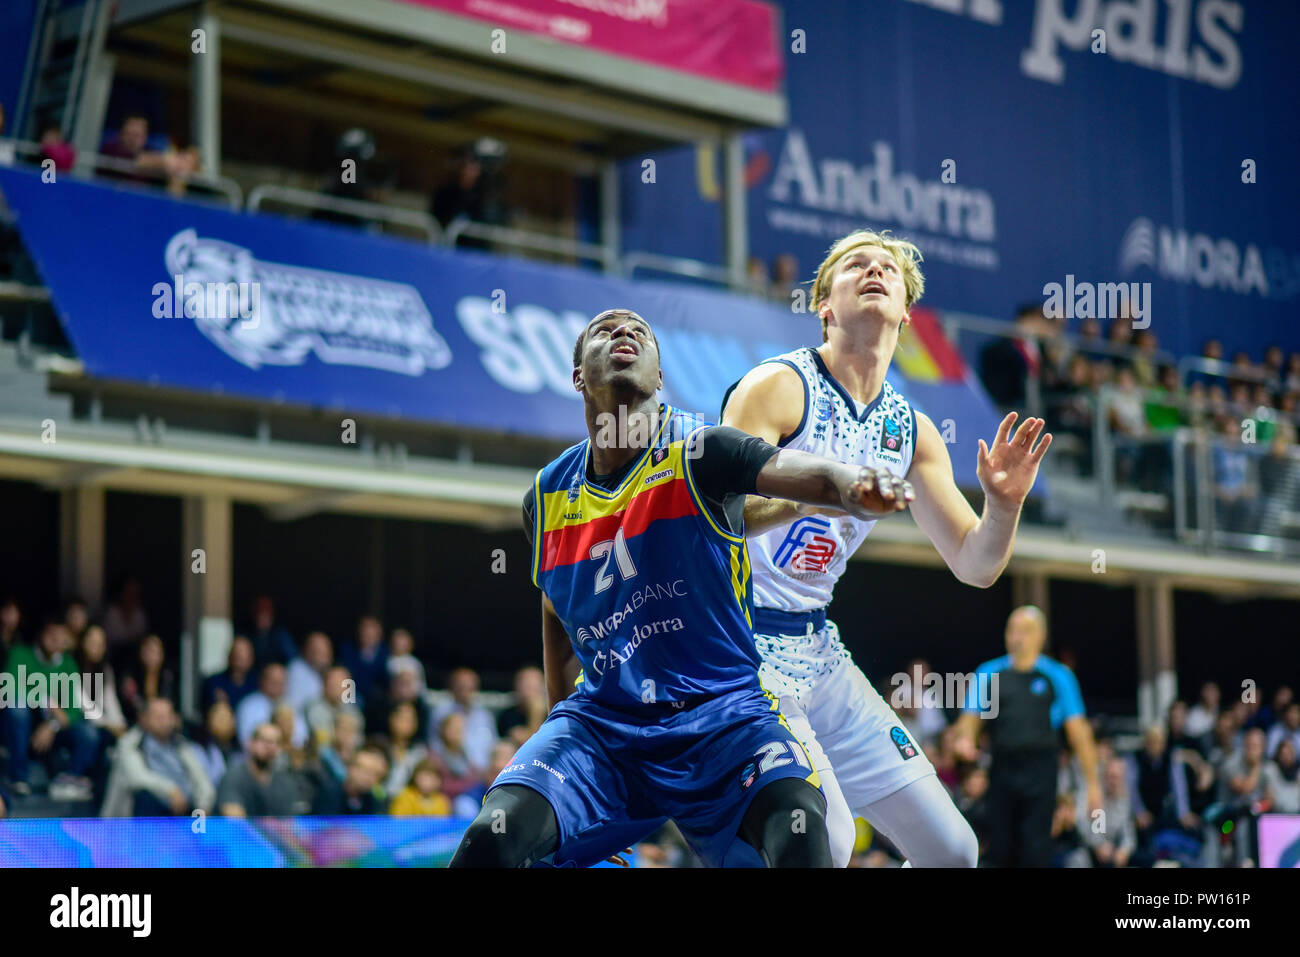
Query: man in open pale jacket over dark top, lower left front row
{"x":157,"y":772}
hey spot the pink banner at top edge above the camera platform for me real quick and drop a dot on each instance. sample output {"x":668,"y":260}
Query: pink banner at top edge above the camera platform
{"x":729,"y":41}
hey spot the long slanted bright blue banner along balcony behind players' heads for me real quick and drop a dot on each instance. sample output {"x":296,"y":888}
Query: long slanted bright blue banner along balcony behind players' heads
{"x":189,"y":296}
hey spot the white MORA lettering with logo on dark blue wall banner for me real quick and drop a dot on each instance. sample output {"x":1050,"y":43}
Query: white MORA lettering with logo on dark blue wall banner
{"x":1210,"y":263}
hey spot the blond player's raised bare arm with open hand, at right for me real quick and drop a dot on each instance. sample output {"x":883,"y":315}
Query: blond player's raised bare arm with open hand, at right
{"x":976,"y":548}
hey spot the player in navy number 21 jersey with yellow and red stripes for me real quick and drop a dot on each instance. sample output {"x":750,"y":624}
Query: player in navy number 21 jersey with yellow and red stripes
{"x":639,"y":551}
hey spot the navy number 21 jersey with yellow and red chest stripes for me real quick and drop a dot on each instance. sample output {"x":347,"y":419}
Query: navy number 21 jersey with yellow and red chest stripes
{"x":655,"y":596}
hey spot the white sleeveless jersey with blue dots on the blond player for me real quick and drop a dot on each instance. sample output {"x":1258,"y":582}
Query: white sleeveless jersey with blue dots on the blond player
{"x":796,"y":566}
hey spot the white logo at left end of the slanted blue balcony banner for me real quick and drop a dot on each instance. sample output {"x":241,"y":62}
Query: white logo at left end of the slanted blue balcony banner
{"x":272,"y":314}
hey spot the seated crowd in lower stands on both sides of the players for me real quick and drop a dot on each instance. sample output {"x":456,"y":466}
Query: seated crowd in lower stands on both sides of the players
{"x":324,"y":728}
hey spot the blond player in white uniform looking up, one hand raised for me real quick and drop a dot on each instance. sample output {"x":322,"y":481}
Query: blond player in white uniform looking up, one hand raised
{"x":834,"y":401}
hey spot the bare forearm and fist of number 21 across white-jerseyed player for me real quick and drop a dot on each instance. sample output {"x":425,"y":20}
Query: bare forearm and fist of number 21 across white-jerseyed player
{"x":866,"y":493}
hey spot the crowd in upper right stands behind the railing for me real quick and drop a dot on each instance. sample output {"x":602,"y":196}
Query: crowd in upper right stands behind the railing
{"x":1250,"y":409}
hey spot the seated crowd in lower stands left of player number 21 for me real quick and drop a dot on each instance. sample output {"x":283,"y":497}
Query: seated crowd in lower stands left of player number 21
{"x":311,"y":728}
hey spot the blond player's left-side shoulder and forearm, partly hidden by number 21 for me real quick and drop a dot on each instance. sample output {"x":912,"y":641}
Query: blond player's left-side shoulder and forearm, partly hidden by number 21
{"x":769,"y":404}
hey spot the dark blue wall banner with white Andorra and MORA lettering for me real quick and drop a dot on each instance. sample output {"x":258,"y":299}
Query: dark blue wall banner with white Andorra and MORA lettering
{"x":1022,"y":144}
